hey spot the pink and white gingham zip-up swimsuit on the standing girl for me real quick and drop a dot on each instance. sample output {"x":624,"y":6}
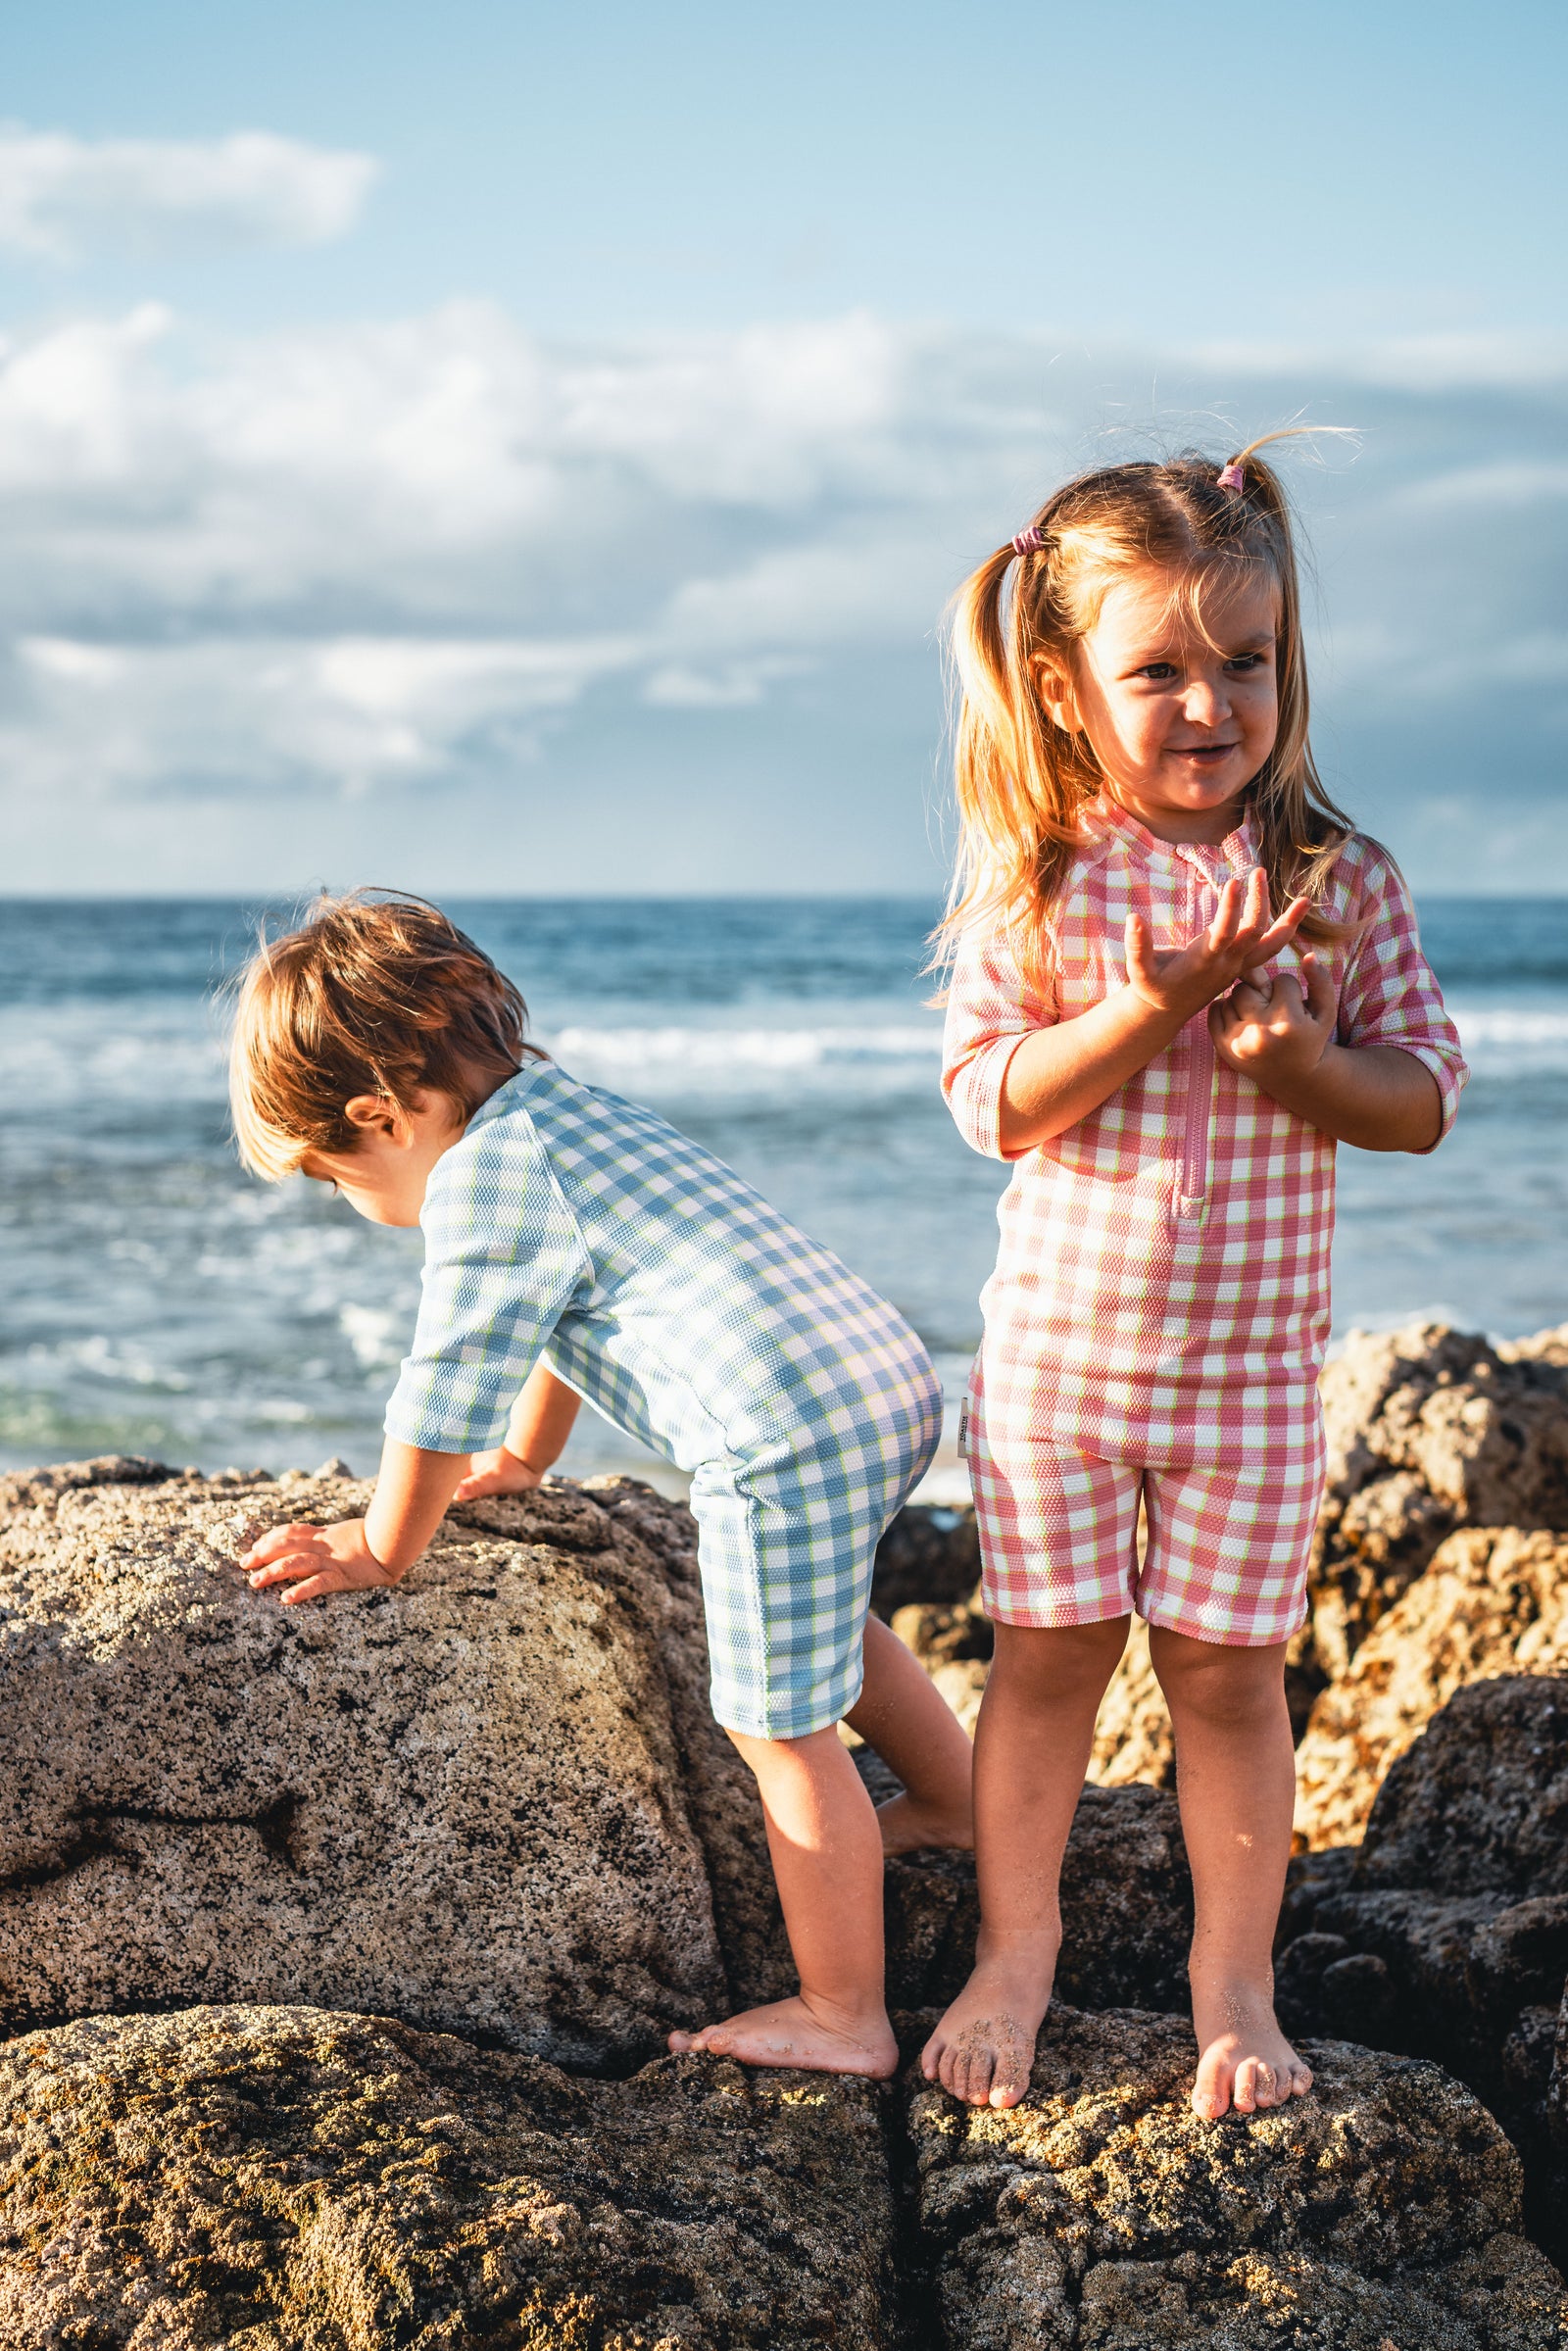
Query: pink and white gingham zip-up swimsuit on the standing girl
{"x":1160,"y":1306}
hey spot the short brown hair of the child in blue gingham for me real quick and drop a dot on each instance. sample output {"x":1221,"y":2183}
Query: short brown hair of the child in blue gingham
{"x":368,"y":996}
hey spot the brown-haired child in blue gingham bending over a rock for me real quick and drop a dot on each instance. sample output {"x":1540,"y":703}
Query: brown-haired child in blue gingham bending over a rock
{"x":579,"y":1247}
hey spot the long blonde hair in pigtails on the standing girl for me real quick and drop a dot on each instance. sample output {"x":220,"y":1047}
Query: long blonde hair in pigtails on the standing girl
{"x":1021,"y":779}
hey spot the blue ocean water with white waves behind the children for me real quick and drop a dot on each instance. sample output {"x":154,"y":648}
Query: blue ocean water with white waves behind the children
{"x":154,"y":1299}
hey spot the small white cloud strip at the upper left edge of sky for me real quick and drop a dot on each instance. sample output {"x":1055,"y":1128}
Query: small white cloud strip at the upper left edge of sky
{"x":65,"y":196}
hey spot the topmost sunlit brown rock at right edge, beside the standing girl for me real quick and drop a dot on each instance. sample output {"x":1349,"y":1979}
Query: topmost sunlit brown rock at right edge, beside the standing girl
{"x":1428,"y":1431}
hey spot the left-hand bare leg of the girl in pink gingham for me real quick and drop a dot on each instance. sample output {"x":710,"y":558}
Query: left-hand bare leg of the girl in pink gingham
{"x":1033,"y":1748}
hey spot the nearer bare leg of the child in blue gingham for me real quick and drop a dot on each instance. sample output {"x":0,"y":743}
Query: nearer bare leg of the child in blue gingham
{"x":829,"y":1863}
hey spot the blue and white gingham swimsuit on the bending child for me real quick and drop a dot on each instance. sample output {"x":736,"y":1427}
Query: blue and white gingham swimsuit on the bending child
{"x":582,"y":1228}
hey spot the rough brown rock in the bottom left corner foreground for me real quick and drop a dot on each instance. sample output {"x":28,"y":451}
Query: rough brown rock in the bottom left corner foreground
{"x":300,"y":2181}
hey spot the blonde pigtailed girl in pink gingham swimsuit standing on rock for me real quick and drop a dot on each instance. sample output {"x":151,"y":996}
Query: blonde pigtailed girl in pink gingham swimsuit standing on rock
{"x":1170,"y":1064}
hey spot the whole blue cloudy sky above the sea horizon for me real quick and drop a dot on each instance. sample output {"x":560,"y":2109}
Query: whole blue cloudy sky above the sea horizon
{"x":530,"y":450}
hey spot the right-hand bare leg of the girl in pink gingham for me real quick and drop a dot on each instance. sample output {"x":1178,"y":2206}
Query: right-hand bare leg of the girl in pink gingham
{"x":1235,"y":1776}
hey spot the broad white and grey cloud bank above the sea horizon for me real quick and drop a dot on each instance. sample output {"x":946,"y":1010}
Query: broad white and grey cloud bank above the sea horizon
{"x":429,"y":551}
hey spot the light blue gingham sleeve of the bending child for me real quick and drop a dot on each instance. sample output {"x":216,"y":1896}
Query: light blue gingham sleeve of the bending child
{"x":504,"y":1261}
